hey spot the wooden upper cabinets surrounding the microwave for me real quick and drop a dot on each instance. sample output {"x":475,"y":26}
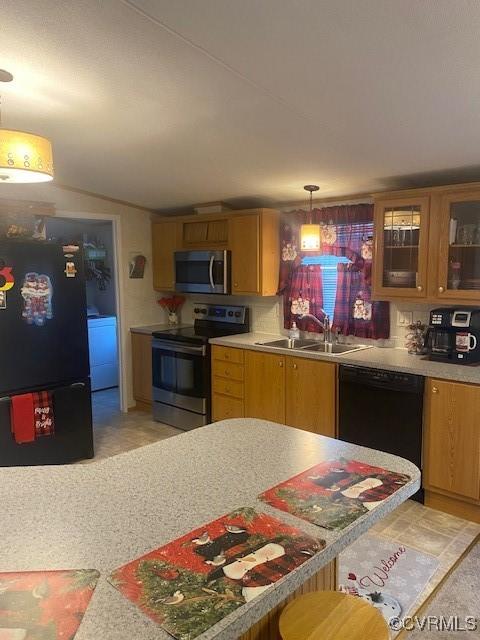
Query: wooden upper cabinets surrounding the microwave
{"x":251,"y":235}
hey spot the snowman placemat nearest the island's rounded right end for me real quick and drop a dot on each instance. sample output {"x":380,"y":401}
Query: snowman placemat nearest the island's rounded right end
{"x":333,"y":494}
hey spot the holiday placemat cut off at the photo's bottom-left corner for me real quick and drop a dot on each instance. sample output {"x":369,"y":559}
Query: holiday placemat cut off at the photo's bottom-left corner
{"x":44,"y":605}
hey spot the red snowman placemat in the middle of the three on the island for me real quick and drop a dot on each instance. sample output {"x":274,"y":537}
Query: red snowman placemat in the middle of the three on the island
{"x":190,"y":584}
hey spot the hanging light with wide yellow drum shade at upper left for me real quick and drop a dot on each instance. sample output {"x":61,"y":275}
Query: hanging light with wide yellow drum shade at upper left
{"x":24,"y":157}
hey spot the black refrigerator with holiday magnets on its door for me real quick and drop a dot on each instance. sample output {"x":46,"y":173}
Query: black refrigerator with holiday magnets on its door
{"x":44,"y":348}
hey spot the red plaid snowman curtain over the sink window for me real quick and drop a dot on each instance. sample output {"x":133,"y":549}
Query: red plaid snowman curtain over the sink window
{"x":346,"y":231}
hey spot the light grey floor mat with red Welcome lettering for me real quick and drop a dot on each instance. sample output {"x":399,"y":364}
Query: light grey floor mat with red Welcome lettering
{"x":389,"y":575}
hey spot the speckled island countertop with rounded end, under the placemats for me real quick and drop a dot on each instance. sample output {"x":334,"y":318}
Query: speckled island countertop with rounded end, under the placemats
{"x":105,"y":514}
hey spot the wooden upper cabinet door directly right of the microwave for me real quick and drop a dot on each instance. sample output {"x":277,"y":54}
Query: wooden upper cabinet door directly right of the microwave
{"x":244,"y":240}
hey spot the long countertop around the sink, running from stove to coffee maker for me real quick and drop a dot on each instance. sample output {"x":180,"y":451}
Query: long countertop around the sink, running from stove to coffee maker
{"x":375,"y":357}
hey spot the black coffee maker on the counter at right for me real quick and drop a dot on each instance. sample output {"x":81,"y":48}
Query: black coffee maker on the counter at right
{"x":453,"y":335}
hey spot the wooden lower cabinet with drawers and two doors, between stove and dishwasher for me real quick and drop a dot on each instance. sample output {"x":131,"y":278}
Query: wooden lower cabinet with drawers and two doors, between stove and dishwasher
{"x":296,"y":391}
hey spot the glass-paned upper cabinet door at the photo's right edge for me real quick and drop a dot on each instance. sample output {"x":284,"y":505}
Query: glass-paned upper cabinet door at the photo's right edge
{"x":459,"y":250}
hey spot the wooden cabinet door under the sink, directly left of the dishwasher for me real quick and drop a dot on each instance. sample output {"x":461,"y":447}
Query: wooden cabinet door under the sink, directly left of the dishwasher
{"x":310,"y":395}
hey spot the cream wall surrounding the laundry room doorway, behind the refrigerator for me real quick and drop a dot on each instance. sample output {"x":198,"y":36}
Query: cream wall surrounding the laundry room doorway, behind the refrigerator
{"x":137,"y":299}
